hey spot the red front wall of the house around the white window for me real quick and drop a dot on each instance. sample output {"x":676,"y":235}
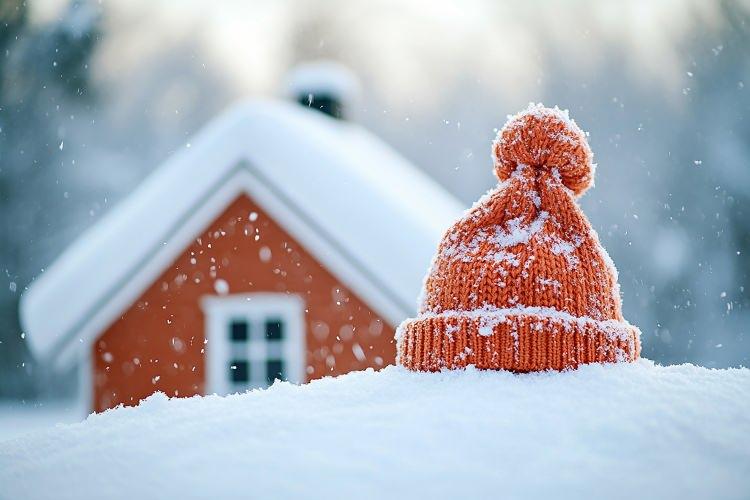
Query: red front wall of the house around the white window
{"x":158,"y":342}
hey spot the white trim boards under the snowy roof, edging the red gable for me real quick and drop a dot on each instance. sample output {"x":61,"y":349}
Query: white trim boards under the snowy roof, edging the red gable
{"x":243,"y":178}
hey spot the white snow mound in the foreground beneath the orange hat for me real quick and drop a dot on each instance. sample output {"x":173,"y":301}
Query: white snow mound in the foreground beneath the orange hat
{"x":628,"y":430}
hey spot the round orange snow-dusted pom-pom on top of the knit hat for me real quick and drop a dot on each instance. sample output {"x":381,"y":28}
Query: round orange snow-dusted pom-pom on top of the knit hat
{"x":545,"y":138}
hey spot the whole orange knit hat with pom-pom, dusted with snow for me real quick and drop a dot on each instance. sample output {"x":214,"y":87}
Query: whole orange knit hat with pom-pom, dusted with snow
{"x":521,"y":282}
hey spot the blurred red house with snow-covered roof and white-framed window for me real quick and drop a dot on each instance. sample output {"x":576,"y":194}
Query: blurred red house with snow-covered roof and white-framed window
{"x":280,"y":243}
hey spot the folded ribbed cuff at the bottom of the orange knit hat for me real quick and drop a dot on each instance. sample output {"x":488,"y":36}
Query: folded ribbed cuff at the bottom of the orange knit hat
{"x":519,"y":339}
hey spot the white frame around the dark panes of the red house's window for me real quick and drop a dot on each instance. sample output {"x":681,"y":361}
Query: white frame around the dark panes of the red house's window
{"x":255,"y":308}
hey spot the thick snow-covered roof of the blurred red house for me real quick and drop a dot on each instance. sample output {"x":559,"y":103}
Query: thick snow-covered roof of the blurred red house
{"x":381,"y":217}
